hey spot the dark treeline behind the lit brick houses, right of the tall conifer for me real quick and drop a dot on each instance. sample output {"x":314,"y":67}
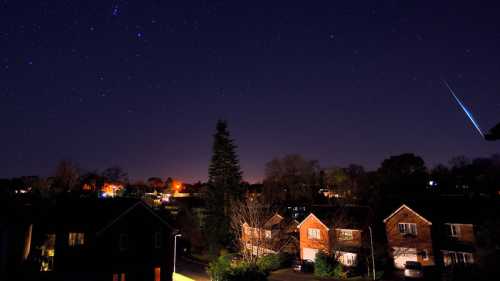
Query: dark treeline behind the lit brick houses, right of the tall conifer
{"x":294,"y":179}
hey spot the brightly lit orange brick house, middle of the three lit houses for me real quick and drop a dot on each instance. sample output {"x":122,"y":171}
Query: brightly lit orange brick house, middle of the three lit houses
{"x":340,"y":231}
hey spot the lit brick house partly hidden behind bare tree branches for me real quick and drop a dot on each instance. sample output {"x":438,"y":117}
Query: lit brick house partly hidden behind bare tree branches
{"x":277,"y":235}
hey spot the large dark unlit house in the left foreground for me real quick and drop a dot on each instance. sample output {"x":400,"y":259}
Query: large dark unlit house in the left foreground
{"x":113,"y":239}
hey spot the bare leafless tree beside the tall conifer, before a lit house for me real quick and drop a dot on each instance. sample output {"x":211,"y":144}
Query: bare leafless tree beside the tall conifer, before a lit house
{"x":247,"y":223}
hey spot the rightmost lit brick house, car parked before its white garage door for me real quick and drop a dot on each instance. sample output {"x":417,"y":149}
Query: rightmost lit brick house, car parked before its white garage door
{"x":432,"y":236}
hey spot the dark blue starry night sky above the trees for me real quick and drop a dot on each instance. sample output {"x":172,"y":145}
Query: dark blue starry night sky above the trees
{"x":141,"y":84}
